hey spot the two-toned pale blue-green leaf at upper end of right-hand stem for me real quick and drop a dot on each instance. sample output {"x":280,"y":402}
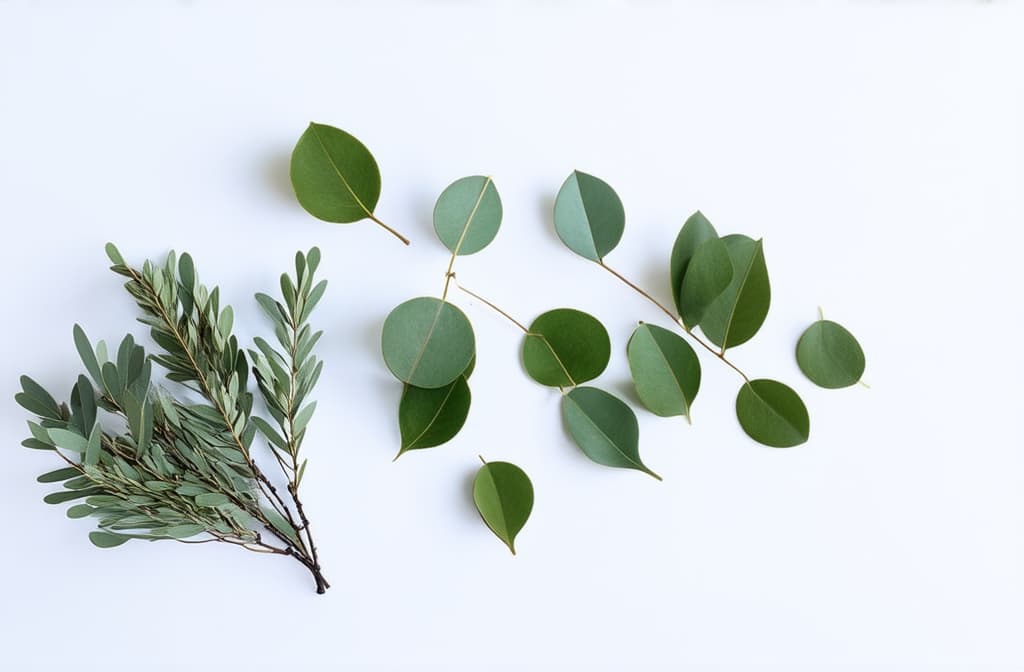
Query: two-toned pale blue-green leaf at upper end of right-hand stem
{"x":589,"y":217}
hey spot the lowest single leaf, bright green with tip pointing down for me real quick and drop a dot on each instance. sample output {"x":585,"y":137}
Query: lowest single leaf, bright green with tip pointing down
{"x":504,"y":496}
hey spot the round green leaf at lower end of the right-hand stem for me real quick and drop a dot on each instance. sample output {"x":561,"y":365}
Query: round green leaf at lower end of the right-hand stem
{"x":773,"y":414}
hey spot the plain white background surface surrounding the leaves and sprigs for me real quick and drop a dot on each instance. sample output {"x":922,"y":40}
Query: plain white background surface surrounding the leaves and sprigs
{"x":877,"y":147}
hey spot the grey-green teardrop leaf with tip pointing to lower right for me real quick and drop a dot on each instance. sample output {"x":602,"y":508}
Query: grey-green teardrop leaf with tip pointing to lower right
{"x":605,"y":429}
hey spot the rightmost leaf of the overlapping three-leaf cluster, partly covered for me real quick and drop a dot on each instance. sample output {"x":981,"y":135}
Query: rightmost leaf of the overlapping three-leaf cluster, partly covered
{"x":739,"y":313}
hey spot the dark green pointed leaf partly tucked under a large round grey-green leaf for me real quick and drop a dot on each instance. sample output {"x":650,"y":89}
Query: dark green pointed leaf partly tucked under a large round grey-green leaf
{"x":433,"y":417}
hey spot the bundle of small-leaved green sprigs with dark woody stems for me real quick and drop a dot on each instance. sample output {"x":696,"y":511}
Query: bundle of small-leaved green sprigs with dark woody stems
{"x":159,"y":464}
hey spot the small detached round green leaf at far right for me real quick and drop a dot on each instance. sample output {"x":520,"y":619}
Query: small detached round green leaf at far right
{"x":830,"y":356}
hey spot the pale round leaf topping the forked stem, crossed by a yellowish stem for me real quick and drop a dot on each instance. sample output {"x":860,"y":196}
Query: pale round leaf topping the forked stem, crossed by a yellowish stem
{"x":467,"y":215}
